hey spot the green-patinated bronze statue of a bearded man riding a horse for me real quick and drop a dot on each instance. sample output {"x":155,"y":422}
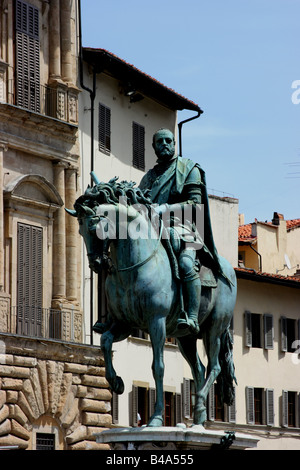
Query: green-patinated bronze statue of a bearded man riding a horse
{"x":172,"y":283}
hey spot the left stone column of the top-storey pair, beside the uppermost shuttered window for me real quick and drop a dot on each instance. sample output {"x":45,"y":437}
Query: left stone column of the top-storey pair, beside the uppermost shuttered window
{"x":54,"y":46}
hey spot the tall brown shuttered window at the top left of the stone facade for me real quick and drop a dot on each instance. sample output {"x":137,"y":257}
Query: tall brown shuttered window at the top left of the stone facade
{"x":27,"y":56}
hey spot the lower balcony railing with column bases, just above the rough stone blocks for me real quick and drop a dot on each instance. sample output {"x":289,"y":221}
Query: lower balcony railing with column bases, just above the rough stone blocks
{"x":45,"y":323}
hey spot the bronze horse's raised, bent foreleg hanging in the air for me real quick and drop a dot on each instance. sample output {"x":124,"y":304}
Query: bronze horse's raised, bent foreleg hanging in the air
{"x":114,"y":334}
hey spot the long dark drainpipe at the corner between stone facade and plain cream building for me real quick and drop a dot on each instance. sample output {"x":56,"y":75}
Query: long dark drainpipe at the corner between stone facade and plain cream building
{"x":92,"y":93}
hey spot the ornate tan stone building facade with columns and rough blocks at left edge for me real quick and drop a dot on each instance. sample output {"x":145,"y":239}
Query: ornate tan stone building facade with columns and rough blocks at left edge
{"x":52,"y":388}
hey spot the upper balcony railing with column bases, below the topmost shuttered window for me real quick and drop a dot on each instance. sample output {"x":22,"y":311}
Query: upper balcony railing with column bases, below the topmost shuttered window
{"x":57,"y":102}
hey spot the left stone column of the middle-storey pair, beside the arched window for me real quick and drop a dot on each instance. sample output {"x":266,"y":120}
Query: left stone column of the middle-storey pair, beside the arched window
{"x":59,"y":237}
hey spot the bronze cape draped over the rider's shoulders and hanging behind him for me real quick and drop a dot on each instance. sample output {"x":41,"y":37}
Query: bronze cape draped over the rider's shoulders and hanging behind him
{"x":169,"y":186}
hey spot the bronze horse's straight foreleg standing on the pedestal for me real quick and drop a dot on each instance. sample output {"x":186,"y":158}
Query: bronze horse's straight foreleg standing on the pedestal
{"x":157,"y":330}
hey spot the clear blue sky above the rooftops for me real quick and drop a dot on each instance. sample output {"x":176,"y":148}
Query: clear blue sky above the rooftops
{"x":237,"y":59}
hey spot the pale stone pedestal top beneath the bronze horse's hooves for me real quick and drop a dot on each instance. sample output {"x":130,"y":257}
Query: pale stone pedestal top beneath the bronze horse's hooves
{"x":179,"y":438}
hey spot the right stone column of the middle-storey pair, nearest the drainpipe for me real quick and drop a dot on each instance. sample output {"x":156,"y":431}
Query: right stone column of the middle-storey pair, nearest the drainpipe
{"x":71,"y":237}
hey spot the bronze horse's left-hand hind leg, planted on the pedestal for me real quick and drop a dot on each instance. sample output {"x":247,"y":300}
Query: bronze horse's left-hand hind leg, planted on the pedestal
{"x":188,"y":348}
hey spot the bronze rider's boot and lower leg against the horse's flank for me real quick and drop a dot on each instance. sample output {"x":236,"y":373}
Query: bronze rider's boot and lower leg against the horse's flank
{"x":191,"y":291}
